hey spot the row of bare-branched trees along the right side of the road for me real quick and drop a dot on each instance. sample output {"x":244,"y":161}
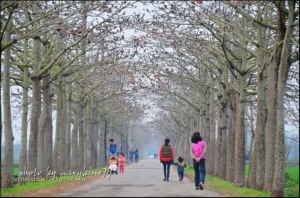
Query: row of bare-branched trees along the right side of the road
{"x":231,"y":67}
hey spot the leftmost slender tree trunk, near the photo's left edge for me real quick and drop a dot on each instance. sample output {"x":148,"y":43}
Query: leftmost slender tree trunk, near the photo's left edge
{"x":7,"y":173}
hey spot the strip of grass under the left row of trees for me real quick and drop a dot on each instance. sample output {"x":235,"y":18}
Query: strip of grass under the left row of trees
{"x":30,"y":186}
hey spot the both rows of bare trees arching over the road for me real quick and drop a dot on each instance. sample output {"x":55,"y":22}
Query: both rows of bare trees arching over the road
{"x":221,"y":68}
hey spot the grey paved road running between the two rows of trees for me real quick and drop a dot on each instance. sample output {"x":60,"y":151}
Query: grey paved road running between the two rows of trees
{"x":143,"y":179}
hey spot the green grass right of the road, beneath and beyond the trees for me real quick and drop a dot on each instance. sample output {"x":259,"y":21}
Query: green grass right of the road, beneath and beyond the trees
{"x":228,"y":189}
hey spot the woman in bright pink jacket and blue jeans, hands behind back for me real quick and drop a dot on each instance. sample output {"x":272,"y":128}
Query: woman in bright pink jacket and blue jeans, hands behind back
{"x":198,"y":153}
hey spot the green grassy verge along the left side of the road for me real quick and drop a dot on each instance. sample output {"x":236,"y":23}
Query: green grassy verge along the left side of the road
{"x":18,"y":190}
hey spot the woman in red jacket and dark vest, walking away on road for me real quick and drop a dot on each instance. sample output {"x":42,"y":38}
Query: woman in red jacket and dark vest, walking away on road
{"x":166,"y":156}
